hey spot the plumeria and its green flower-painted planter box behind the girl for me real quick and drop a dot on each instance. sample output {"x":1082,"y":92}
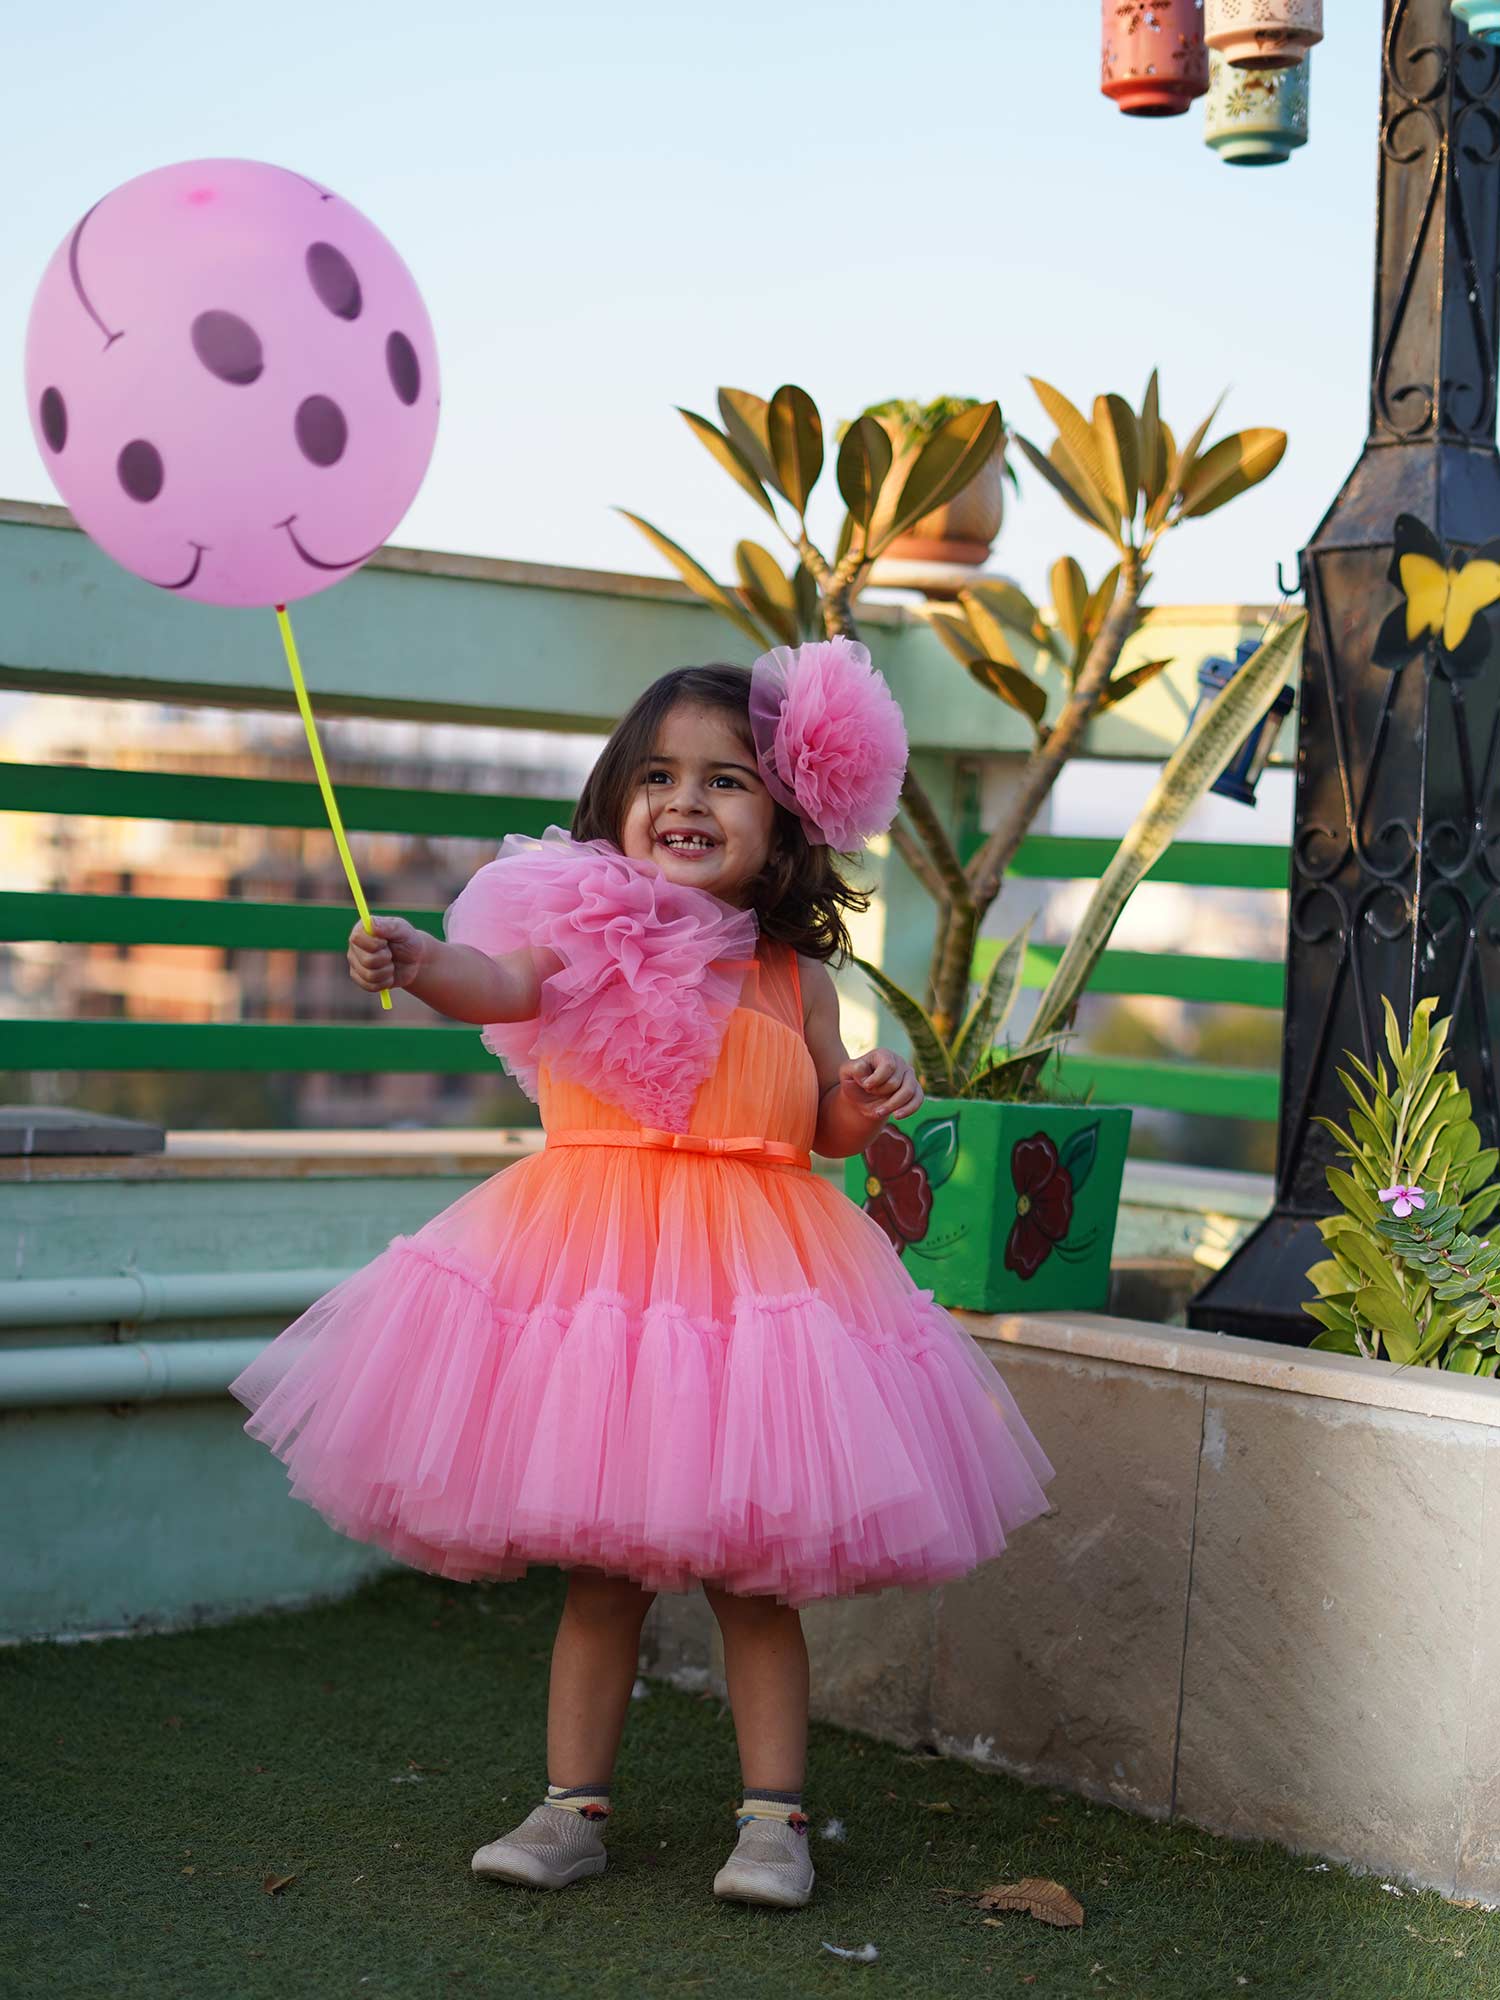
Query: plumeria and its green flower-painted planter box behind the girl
{"x":1127,"y":479}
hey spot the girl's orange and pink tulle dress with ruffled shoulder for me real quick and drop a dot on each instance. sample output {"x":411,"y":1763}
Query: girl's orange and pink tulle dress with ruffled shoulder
{"x":663,"y":1347}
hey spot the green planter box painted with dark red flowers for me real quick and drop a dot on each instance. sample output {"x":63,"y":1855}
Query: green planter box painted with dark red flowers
{"x":999,"y":1207}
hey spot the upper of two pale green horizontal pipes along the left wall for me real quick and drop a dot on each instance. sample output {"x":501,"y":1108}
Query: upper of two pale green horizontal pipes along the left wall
{"x":143,"y":1295}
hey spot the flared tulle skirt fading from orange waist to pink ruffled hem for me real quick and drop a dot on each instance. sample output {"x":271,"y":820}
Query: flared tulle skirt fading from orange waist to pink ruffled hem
{"x":673,"y":1369}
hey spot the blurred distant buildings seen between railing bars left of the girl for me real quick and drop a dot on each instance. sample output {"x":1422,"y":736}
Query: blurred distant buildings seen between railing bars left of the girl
{"x":165,"y":983}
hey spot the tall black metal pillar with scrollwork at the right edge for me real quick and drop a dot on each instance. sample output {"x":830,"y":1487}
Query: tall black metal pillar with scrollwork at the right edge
{"x":1397,"y":837}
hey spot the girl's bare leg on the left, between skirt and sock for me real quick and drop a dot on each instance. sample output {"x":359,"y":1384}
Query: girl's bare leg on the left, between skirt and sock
{"x":593,"y":1673}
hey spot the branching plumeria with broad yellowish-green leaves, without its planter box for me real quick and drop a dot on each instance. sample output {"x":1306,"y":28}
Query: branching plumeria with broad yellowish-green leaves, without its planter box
{"x":1121,"y":473}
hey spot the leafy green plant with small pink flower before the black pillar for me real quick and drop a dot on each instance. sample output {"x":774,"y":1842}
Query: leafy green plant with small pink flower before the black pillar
{"x":1407,"y":1277}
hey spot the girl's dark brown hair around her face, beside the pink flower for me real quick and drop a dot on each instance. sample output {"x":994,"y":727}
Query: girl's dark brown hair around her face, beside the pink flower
{"x":799,"y":897}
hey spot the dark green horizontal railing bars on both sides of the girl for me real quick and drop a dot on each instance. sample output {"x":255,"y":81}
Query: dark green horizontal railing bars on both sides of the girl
{"x":133,"y":1045}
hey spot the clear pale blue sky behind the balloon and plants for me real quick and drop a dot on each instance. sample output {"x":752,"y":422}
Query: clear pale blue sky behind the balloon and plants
{"x":617,"y":209}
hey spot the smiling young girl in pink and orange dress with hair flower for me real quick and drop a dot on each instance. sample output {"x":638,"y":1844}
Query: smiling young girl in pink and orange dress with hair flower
{"x":663,"y":1351}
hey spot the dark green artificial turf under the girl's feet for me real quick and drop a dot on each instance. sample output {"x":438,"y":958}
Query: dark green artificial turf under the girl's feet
{"x":153,"y":1785}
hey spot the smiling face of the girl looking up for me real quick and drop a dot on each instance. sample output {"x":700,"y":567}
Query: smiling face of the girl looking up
{"x":699,"y":809}
